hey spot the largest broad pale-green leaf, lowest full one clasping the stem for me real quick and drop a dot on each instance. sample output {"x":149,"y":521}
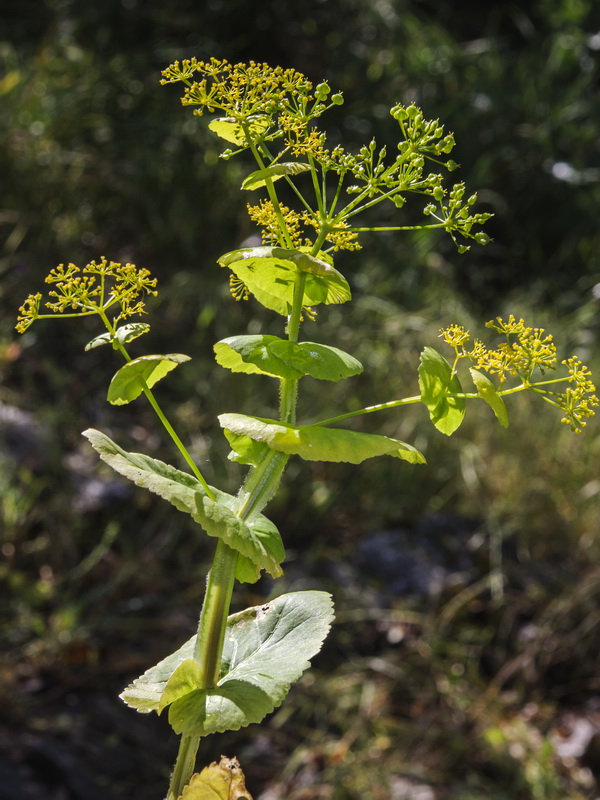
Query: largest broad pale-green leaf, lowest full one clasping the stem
{"x":266,"y":649}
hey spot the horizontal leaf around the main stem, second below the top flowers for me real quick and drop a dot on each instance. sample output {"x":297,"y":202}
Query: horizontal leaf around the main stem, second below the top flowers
{"x":270,"y":355}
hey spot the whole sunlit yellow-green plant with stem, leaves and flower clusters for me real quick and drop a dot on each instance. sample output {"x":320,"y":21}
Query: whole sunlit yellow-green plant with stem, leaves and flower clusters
{"x":239,"y":667}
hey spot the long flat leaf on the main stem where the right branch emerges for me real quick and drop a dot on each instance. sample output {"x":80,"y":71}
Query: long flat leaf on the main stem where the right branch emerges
{"x":314,"y":443}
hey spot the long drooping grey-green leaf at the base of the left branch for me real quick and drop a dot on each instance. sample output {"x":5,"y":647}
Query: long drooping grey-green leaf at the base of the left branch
{"x":258,"y":540}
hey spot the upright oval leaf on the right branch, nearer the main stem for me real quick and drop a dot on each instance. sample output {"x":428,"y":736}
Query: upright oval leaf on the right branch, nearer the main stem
{"x":437,"y":382}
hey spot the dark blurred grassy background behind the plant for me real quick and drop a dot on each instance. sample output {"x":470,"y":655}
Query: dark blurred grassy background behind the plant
{"x":464,"y":663}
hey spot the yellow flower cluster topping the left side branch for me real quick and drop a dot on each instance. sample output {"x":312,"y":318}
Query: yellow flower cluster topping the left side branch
{"x":91,"y":290}
